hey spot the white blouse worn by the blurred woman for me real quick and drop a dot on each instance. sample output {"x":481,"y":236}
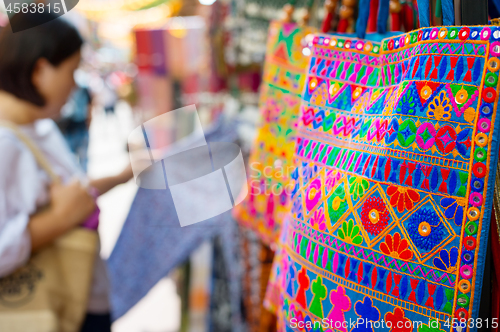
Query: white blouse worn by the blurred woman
{"x":24,"y":188}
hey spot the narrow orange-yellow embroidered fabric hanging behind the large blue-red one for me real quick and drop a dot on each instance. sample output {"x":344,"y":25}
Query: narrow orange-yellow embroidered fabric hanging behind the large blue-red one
{"x":270,"y":163}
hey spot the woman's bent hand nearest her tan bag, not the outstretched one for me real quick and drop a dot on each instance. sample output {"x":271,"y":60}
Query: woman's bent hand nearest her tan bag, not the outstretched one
{"x":72,"y":201}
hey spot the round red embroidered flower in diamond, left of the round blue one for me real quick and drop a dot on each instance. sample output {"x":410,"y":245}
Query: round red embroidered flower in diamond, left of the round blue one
{"x":374,"y":215}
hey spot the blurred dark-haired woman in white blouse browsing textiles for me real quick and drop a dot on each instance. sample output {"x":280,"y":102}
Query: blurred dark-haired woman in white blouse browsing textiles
{"x":36,"y":79}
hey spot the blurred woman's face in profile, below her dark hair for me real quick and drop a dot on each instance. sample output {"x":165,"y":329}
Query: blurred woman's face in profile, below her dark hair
{"x":54,"y":83}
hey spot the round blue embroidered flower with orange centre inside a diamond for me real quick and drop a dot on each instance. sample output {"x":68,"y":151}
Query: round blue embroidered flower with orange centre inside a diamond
{"x":422,"y":237}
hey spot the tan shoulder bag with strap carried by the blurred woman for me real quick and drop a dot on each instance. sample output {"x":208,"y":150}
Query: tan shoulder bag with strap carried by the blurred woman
{"x":50,"y":293}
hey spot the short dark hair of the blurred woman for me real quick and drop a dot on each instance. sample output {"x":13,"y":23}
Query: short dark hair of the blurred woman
{"x":55,"y":41}
